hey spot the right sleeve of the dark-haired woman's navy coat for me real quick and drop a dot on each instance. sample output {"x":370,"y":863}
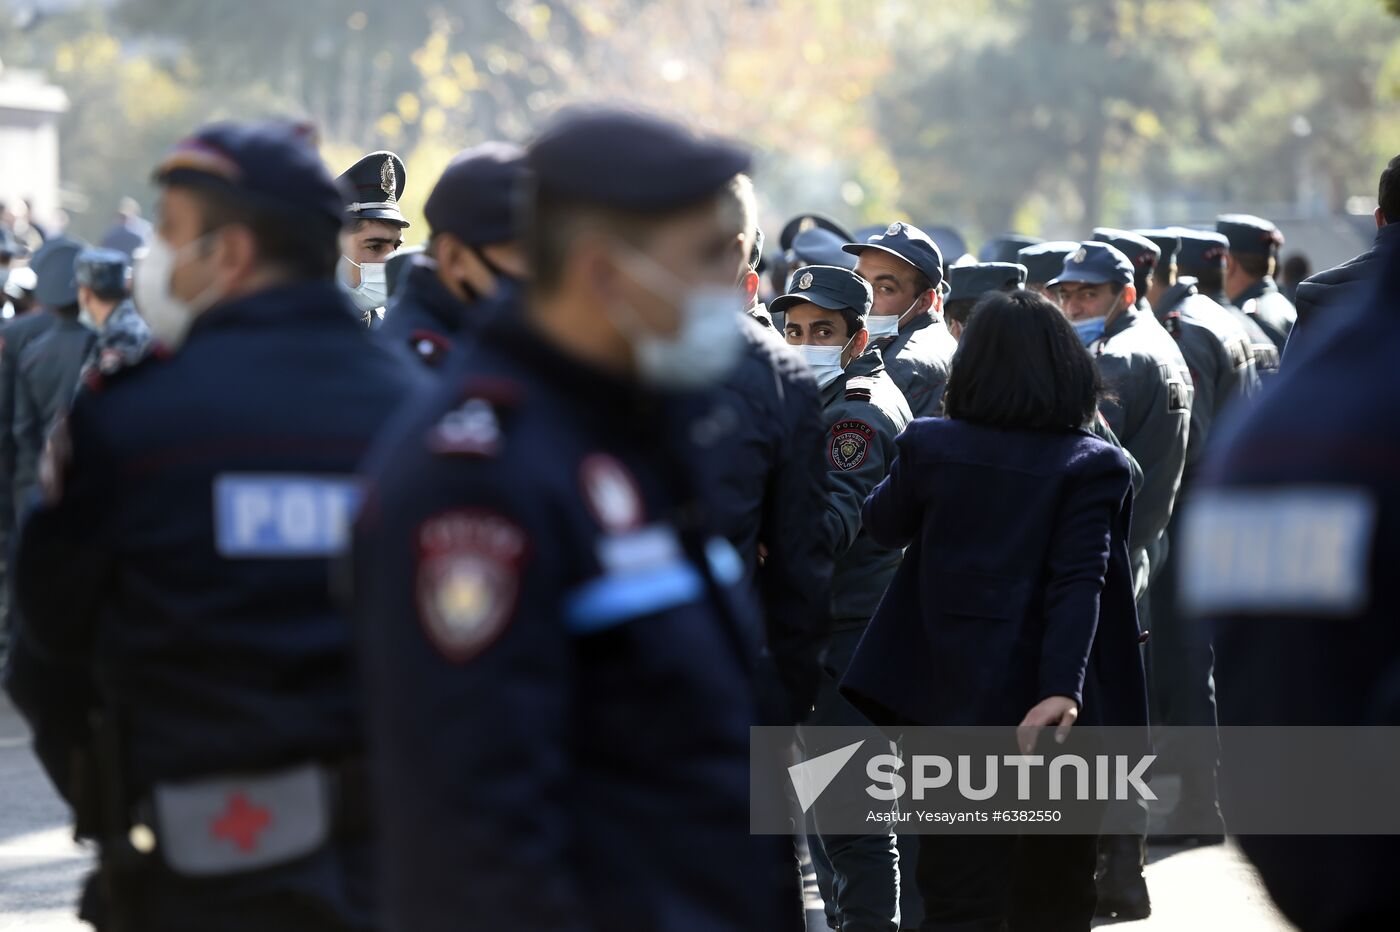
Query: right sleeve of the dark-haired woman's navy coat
{"x":1079,"y":559}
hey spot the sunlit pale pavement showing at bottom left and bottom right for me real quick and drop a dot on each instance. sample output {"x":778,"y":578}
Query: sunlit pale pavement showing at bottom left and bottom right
{"x":1199,"y":891}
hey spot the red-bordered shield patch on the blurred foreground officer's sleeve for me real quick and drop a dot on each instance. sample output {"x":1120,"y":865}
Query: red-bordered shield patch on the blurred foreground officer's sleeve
{"x":468,"y":580}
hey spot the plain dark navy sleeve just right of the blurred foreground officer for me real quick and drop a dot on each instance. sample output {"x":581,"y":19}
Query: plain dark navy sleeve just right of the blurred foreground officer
{"x":797,"y":574}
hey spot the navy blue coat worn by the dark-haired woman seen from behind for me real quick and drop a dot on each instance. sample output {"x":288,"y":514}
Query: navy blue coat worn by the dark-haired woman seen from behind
{"x":1016,"y":587}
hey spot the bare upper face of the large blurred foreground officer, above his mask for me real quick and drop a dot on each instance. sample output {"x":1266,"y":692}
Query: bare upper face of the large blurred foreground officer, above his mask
{"x":694,"y":250}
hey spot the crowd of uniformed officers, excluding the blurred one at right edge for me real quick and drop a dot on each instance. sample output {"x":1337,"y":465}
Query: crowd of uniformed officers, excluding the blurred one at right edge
{"x":362,"y":584}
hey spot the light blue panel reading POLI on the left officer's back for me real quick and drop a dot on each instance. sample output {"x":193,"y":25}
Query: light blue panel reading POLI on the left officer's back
{"x":283,"y":516}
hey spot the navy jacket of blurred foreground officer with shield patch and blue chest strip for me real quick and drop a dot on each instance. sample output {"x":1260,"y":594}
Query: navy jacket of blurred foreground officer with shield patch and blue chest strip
{"x":561,"y":661}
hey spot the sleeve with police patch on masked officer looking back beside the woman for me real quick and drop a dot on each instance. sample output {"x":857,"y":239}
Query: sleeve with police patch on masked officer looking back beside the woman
{"x":856,"y":463}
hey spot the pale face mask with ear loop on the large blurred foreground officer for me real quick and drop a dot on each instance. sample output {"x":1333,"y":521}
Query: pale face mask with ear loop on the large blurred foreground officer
{"x":708,"y":344}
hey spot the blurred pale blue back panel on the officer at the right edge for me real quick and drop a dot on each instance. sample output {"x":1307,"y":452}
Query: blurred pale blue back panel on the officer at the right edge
{"x":1298,"y":551}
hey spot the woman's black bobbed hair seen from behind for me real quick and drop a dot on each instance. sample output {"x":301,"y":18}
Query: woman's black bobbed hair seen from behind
{"x":1021,"y":366}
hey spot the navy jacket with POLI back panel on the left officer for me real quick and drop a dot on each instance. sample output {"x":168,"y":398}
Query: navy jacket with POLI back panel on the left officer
{"x":183,"y":580}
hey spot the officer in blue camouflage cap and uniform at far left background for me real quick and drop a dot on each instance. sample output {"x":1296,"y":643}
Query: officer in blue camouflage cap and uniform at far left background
{"x":106,"y":307}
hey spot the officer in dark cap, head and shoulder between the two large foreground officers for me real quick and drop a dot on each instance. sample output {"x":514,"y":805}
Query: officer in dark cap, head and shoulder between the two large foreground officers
{"x":474,"y":254}
